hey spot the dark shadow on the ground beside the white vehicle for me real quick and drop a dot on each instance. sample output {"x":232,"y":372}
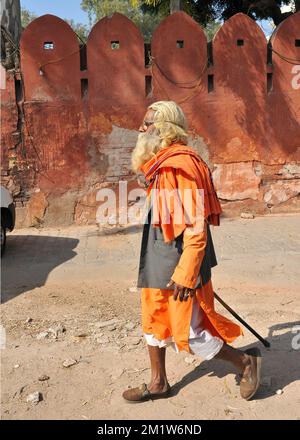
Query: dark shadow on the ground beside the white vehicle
{"x":29,"y":259}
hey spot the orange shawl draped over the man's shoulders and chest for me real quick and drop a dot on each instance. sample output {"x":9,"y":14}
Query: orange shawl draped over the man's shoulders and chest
{"x":179,"y":168}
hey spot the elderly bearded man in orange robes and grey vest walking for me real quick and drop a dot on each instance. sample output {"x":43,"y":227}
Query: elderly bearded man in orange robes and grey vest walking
{"x":176,"y":258}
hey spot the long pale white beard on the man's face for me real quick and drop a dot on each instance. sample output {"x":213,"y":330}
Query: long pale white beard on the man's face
{"x":146,"y":146}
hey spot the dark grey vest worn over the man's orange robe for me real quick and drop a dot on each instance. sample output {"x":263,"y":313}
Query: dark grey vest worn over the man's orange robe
{"x":159,"y":259}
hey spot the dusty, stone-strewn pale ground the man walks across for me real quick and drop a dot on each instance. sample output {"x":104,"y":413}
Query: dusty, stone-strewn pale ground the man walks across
{"x":76,"y":279}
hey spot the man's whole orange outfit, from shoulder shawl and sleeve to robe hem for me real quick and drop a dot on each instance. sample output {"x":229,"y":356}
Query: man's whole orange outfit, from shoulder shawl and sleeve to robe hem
{"x":179,"y":167}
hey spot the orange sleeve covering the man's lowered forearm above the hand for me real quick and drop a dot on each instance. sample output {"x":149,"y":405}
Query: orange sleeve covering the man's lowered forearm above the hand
{"x":187,"y":269}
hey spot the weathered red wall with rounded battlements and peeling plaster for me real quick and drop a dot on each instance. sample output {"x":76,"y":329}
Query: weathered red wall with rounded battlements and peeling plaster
{"x":69,"y":122}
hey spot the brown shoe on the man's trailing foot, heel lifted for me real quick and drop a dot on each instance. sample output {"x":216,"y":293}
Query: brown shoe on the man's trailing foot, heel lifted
{"x":249,"y":385}
